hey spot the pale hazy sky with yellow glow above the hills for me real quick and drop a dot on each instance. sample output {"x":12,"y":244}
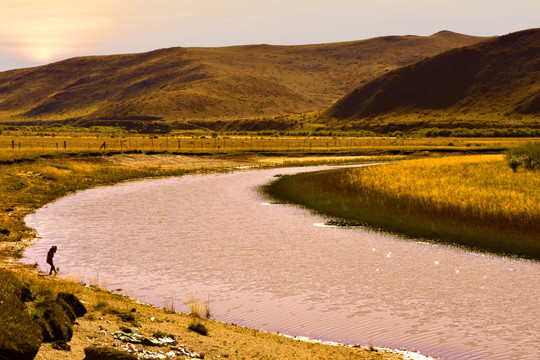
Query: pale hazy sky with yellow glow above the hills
{"x":35,"y":32}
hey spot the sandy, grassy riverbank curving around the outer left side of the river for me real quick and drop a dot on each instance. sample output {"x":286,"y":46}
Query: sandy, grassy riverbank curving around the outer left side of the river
{"x":28,"y":185}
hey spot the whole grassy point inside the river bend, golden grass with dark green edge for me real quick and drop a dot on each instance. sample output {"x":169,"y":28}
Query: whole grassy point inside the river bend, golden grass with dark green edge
{"x":472,"y":201}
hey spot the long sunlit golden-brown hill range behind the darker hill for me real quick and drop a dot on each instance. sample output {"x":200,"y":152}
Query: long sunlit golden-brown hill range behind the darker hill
{"x":178,"y":84}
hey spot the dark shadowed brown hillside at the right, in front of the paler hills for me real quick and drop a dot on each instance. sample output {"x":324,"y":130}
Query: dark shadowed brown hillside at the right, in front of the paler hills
{"x":480,"y":85}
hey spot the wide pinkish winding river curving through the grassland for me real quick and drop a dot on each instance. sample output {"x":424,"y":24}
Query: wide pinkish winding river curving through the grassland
{"x":275,"y":268}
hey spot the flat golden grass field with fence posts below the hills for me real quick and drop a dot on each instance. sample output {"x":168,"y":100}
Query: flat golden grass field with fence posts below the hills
{"x":22,"y":144}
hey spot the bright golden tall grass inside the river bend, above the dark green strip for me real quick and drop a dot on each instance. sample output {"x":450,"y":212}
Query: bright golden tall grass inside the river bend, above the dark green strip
{"x":475,"y":189}
